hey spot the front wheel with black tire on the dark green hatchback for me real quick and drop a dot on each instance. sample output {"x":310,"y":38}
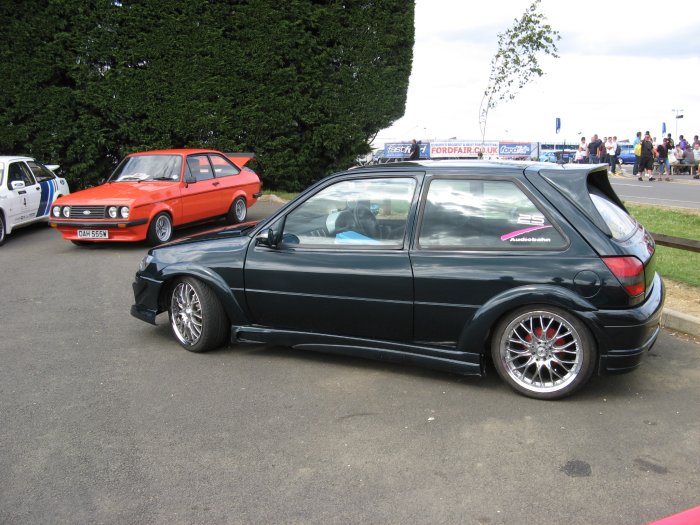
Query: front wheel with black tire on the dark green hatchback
{"x":197,"y":317}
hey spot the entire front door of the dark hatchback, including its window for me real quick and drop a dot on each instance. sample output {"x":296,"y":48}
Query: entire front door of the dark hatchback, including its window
{"x":341,"y":266}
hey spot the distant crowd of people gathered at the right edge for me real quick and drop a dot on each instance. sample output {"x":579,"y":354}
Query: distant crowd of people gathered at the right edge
{"x":648,"y":155}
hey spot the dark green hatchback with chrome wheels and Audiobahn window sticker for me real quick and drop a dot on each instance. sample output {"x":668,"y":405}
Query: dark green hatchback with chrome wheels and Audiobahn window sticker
{"x":442,"y":264}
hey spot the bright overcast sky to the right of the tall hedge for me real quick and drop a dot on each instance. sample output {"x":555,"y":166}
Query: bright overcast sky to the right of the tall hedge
{"x":623,"y":67}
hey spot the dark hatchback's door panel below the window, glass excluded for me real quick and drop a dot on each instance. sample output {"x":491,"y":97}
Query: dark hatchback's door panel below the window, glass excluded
{"x":359,"y":294}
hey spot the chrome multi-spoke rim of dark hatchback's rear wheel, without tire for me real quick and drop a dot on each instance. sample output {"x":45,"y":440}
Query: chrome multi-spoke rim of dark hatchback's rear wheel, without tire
{"x":541,"y":351}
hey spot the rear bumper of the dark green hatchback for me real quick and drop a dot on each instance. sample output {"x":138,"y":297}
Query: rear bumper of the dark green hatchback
{"x":625,"y":336}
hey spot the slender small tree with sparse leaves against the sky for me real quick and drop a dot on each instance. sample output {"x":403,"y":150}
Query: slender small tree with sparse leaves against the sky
{"x":515,"y":63}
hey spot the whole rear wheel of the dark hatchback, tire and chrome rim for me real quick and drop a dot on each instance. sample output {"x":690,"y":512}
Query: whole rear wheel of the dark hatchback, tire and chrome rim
{"x":543,"y":352}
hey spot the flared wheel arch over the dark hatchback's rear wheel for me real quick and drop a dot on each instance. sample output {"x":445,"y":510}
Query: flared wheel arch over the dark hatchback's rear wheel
{"x":479,"y":329}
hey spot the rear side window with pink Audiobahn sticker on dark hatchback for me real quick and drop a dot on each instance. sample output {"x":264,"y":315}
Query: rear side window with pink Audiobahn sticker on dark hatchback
{"x":484,"y":214}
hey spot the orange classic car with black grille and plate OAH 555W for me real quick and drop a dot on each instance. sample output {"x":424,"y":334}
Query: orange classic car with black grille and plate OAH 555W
{"x":151,"y":193}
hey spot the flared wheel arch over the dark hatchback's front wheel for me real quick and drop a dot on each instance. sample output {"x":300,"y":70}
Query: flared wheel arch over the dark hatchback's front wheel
{"x":221,"y":289}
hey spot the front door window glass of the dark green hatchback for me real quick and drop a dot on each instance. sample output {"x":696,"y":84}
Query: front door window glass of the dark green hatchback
{"x":368,"y":213}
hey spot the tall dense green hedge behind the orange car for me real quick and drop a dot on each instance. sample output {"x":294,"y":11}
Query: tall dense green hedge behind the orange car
{"x":305,"y":84}
